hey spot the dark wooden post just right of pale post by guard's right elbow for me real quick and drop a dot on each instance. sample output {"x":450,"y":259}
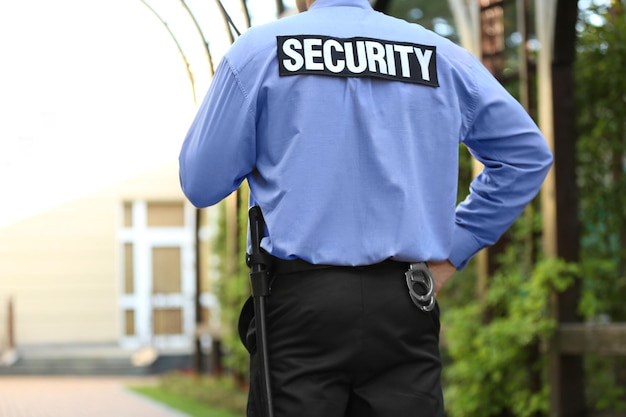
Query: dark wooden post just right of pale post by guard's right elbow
{"x":571,"y":400}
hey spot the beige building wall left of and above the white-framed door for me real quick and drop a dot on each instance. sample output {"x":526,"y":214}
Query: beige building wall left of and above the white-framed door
{"x":62,"y":267}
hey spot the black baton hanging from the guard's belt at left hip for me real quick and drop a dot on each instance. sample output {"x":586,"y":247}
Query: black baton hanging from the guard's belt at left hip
{"x":259,"y":282}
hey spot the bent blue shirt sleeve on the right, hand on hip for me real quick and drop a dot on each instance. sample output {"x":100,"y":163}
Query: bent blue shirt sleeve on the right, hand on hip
{"x":516,"y":160}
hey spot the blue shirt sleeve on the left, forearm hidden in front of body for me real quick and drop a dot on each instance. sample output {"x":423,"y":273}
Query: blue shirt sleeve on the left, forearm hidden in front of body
{"x":219,"y":149}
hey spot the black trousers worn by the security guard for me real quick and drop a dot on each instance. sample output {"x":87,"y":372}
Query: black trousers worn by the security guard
{"x":348,"y":342}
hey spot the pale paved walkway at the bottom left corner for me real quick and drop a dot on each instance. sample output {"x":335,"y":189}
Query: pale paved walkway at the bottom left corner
{"x":77,"y":397}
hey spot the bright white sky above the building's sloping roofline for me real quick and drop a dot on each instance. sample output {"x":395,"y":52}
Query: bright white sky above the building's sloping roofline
{"x":93,"y":92}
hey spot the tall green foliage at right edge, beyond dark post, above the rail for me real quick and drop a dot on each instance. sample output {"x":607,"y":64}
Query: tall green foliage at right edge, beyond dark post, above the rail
{"x":601,"y":102}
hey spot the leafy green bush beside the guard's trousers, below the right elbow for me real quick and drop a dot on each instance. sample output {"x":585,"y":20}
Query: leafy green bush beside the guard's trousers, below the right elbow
{"x":496,"y":365}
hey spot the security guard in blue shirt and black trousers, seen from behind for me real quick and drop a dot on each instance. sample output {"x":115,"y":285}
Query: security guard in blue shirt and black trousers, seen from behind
{"x":346,"y":124}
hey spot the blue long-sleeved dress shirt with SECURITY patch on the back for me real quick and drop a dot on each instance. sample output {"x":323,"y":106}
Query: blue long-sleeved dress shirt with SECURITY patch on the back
{"x":350,"y":161}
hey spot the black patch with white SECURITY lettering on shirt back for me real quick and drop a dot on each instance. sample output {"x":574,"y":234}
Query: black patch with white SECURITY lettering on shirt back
{"x":357,"y":57}
